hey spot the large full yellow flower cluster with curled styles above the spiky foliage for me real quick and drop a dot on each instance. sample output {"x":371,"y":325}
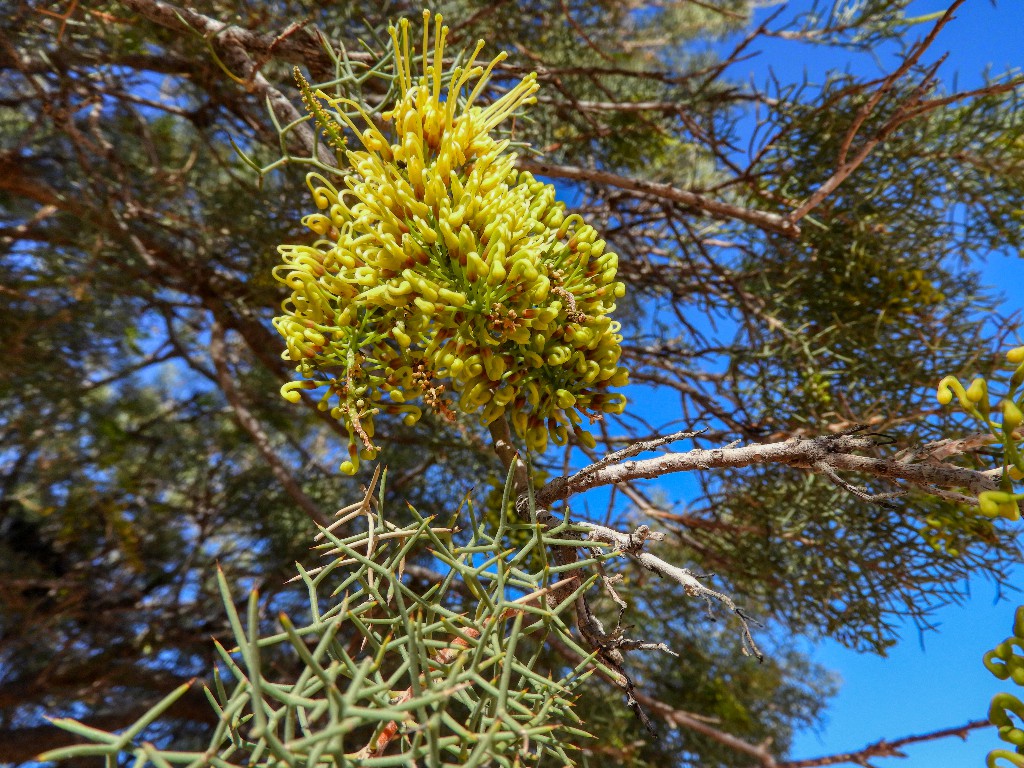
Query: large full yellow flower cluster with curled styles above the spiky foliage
{"x":445,"y":276}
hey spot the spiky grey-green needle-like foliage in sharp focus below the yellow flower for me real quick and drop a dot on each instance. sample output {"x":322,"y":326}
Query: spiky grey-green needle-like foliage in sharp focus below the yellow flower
{"x":390,"y":675}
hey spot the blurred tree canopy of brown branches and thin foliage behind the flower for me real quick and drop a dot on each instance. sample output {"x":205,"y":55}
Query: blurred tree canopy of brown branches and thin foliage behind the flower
{"x":800,"y":269}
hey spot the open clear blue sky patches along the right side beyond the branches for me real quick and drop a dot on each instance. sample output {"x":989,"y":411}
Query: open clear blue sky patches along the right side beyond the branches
{"x":937,"y":680}
